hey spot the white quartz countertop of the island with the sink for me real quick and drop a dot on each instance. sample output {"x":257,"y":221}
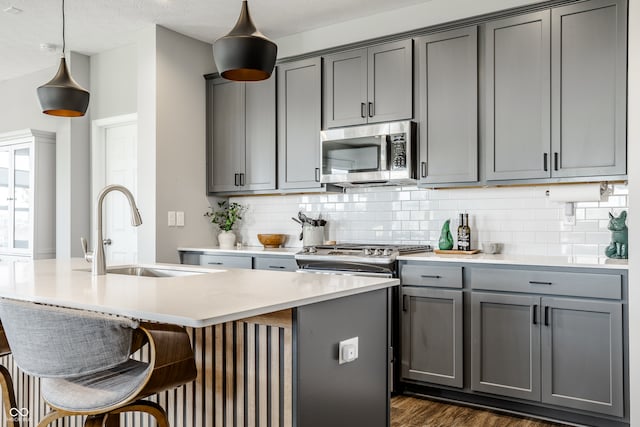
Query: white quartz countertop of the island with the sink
{"x":214,"y":297}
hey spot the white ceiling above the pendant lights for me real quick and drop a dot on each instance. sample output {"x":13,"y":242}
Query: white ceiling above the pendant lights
{"x":94,"y":26}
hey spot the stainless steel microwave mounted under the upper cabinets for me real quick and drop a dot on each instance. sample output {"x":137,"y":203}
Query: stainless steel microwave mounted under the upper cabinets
{"x":377,"y":154}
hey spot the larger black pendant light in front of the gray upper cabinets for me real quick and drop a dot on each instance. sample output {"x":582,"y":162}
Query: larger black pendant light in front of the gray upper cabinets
{"x":245,"y":54}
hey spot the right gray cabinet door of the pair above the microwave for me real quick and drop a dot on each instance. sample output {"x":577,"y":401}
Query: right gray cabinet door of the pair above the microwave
{"x":390,"y":82}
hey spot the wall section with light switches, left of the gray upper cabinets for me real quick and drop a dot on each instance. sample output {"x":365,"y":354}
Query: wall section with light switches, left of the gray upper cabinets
{"x":180,"y":141}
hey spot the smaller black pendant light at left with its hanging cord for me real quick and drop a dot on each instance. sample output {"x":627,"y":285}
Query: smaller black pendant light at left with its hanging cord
{"x":63,"y":96}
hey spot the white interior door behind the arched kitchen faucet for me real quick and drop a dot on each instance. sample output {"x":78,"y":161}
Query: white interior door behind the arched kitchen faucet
{"x":115,"y":158}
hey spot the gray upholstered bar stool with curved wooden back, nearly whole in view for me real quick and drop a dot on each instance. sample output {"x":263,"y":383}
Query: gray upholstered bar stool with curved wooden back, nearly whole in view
{"x":83,"y":360}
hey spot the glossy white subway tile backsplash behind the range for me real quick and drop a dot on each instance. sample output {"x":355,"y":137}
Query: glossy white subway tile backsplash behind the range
{"x":522,"y":218}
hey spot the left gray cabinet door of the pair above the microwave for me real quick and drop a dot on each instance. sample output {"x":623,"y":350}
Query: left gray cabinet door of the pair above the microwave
{"x":345,"y":88}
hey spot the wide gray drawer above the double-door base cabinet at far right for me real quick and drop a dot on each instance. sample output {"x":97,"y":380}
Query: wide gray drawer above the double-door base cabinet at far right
{"x":548,"y":282}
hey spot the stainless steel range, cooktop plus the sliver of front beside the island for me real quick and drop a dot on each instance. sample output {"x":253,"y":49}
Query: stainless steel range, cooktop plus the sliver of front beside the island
{"x":363,"y":260}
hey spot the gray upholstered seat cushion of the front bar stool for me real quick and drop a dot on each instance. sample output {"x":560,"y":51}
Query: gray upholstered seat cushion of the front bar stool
{"x":96,"y":391}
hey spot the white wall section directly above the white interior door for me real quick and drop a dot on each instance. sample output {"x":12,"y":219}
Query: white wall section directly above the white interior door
{"x":114,"y":82}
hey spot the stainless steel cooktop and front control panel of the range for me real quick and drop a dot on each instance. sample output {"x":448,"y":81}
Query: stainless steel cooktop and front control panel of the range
{"x":354,"y":258}
